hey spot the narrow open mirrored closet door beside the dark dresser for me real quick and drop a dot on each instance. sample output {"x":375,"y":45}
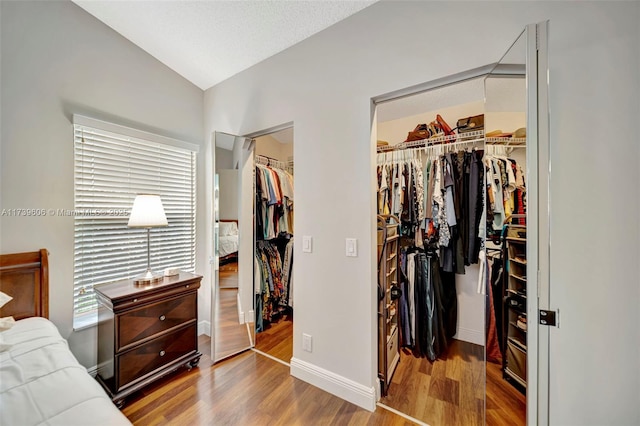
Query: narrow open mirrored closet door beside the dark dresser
{"x":231,"y":295}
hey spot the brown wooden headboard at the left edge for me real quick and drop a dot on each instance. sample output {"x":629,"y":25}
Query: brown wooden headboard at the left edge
{"x":25,"y":277}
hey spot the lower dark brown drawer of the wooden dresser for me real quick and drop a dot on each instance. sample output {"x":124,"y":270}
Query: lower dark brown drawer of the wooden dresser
{"x":138,"y":362}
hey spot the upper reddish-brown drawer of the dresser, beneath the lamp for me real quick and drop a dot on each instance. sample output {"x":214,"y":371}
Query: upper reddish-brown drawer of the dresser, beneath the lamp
{"x":149,"y":320}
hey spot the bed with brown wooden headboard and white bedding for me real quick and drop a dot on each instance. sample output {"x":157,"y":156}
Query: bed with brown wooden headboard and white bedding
{"x":41,"y":382}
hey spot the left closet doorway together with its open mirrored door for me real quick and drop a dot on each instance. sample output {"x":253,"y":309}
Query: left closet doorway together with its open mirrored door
{"x":252,"y":297}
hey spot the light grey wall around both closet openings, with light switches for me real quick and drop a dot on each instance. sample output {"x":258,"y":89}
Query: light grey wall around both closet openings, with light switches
{"x":324,"y":85}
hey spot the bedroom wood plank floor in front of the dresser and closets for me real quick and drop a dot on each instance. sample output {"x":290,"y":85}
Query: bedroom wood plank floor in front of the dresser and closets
{"x":248,"y":389}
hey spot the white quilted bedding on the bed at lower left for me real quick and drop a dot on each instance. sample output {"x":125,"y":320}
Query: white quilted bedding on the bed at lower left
{"x":41,"y":382}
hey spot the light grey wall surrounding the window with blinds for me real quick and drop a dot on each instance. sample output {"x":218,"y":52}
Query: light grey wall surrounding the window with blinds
{"x":58,"y":60}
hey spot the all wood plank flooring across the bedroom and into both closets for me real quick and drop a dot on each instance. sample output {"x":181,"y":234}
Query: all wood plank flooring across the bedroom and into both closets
{"x":251,"y":389}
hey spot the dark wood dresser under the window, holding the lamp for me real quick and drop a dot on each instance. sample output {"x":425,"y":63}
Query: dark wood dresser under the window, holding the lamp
{"x":146,"y":332}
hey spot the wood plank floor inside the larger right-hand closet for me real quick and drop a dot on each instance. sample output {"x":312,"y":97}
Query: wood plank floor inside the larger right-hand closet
{"x":451,"y":390}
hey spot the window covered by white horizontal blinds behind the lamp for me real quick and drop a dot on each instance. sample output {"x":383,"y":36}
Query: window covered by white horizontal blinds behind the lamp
{"x":112,"y":165}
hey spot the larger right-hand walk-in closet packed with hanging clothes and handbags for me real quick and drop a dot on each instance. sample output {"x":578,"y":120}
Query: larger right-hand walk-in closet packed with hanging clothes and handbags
{"x":451,"y":196}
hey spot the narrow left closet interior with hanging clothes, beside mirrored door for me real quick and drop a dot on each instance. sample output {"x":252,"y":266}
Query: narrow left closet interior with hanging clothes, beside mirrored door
{"x":273,"y":255}
